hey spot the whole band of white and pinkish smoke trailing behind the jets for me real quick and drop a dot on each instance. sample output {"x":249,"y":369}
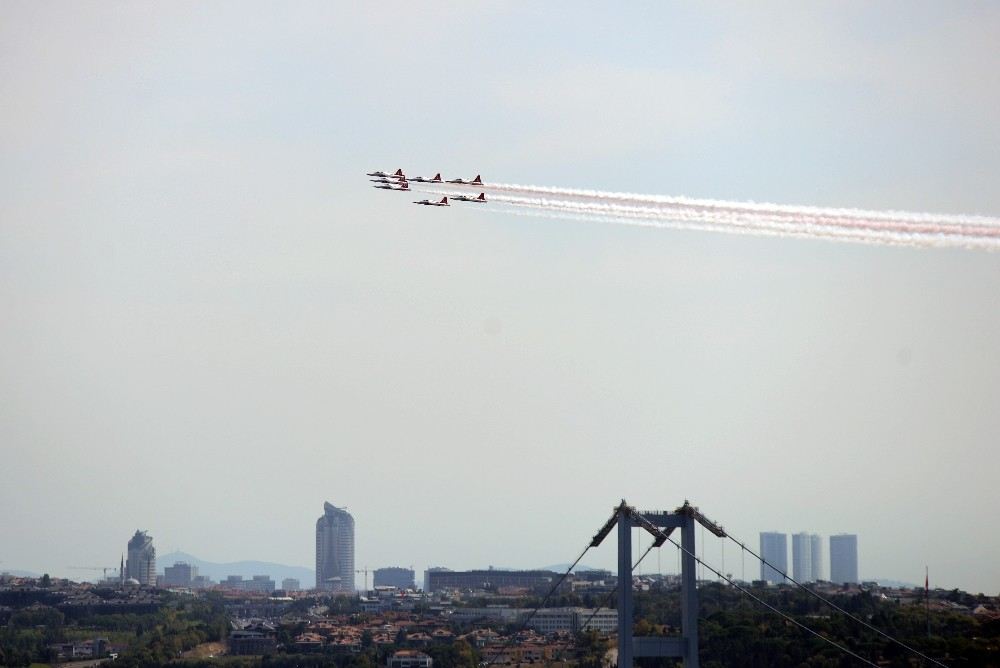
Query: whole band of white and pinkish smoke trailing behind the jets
{"x":885,"y":227}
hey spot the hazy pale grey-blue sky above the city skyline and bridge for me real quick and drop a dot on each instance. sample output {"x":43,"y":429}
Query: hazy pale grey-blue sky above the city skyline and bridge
{"x":212,"y":324}
